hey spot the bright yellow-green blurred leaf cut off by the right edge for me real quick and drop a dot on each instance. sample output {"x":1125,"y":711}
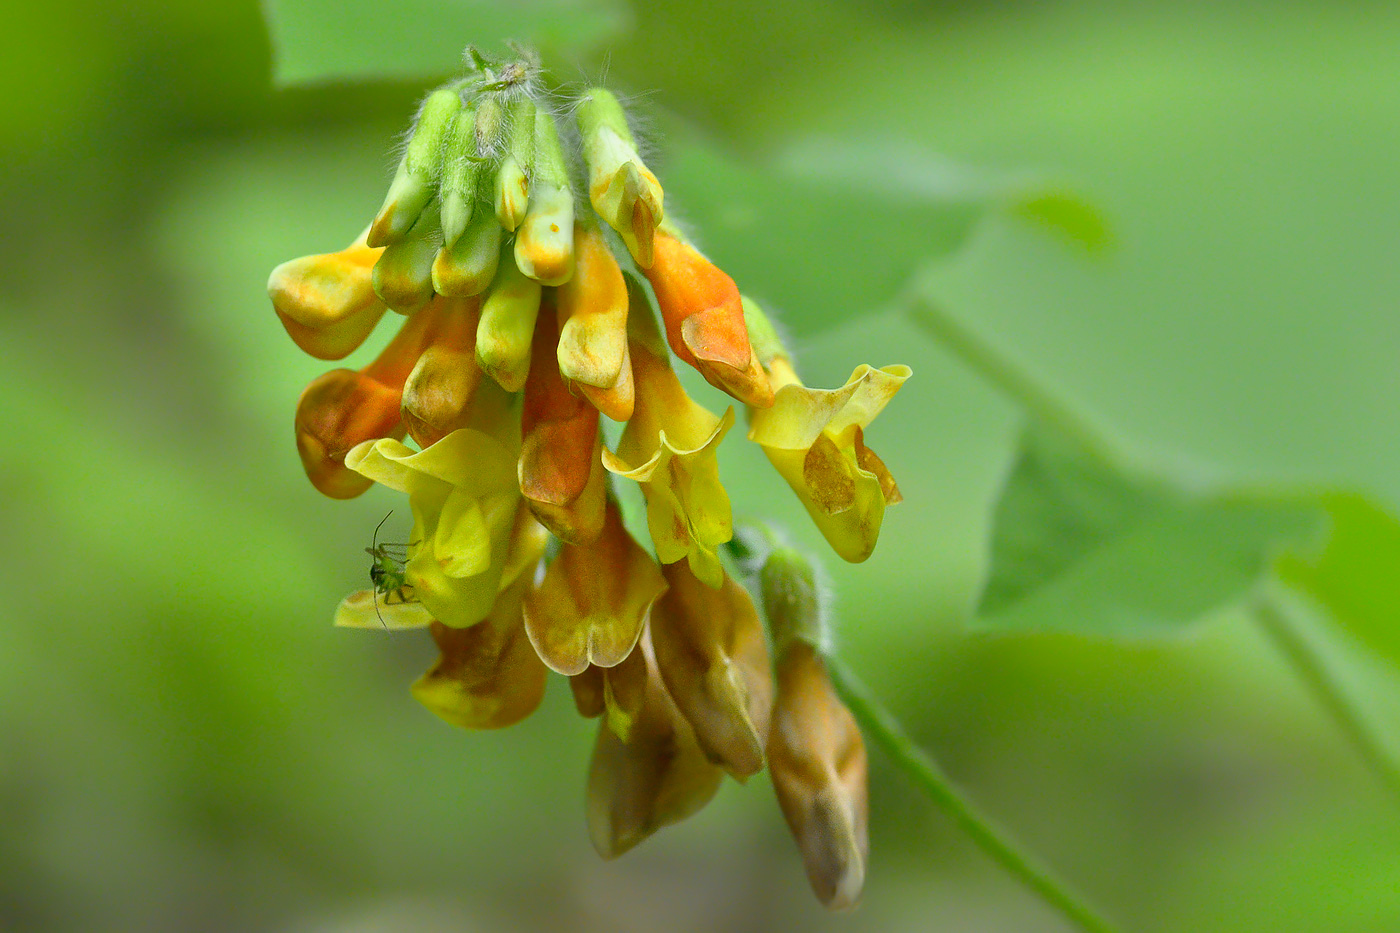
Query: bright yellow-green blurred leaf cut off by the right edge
{"x":1357,"y":575}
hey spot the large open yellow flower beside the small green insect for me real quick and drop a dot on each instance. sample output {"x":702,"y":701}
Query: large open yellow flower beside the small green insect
{"x":463,"y":492}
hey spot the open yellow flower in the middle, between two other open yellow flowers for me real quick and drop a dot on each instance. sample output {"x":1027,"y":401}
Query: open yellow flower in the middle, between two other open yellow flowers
{"x":670,"y":448}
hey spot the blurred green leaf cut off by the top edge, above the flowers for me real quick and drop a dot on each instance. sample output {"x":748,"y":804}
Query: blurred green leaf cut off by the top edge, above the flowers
{"x":365,"y":40}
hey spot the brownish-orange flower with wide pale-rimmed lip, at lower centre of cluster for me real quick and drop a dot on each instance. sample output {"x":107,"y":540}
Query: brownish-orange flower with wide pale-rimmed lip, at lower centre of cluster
{"x":594,"y":600}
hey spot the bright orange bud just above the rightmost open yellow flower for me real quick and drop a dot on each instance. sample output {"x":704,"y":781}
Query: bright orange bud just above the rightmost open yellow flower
{"x":705,"y":322}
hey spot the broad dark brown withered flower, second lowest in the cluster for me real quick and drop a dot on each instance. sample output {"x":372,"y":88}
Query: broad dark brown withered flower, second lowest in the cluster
{"x":654,"y":778}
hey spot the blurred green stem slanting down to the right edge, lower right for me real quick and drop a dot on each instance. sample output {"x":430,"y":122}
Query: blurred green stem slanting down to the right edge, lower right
{"x":1282,"y":623}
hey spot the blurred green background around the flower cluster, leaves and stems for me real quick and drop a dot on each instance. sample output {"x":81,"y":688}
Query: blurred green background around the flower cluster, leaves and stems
{"x":188,"y":745}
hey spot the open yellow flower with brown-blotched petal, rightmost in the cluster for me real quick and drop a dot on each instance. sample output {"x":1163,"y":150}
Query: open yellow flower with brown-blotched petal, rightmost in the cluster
{"x":817,"y":442}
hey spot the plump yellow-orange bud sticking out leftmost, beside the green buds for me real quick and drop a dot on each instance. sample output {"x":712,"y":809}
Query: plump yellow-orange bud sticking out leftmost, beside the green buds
{"x":328,"y":302}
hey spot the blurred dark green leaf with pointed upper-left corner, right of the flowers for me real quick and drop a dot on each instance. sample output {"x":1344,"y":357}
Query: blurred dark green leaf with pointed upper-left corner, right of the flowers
{"x":1080,"y":546}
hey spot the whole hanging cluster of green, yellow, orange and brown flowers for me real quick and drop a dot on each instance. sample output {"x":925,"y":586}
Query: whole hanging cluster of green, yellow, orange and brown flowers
{"x":530,"y":316}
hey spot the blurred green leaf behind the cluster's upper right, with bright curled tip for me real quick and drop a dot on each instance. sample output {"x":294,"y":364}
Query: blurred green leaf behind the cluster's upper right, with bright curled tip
{"x":831,"y":232}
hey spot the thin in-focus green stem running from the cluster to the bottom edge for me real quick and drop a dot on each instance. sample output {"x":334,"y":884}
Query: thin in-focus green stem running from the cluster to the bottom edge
{"x":885,"y":731}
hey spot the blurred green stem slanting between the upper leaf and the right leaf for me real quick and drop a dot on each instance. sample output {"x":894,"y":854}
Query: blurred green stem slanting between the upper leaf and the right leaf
{"x":1013,"y":379}
